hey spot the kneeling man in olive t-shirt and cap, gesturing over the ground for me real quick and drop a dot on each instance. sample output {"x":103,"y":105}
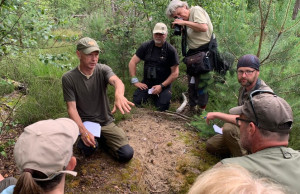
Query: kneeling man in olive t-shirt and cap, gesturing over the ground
{"x":85,"y":92}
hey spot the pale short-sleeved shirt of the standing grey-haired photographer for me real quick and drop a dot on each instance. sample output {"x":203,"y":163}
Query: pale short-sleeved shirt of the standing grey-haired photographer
{"x":197,"y":39}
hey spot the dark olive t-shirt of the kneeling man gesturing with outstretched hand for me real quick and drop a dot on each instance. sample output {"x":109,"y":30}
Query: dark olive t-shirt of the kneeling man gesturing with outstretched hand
{"x":90,"y":94}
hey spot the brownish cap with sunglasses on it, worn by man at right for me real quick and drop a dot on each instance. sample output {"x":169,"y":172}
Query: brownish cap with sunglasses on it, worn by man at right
{"x":273,"y":113}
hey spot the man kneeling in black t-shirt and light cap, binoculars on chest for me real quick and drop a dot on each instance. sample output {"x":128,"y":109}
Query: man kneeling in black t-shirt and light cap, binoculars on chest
{"x":160,"y":69}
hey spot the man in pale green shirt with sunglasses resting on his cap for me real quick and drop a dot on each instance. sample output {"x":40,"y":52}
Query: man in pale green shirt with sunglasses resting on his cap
{"x":265,"y":122}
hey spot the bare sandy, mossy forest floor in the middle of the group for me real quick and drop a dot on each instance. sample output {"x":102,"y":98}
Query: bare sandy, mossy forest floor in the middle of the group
{"x":168,"y":156}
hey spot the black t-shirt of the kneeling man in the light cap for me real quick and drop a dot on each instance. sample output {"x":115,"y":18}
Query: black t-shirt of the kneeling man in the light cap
{"x":157,"y":61}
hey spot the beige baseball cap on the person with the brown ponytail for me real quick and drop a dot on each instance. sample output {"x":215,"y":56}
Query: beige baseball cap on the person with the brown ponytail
{"x":47,"y":146}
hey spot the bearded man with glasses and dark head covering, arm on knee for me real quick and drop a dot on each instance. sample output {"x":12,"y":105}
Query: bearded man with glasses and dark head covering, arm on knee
{"x":228,"y":144}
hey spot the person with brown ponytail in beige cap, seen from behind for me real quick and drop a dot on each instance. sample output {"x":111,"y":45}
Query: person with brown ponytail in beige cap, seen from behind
{"x":44,"y":155}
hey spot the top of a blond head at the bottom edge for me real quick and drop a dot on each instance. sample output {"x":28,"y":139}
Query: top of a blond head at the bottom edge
{"x":231,"y":178}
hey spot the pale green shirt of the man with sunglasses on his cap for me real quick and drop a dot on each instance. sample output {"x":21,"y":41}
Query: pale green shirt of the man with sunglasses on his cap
{"x":278,"y":163}
